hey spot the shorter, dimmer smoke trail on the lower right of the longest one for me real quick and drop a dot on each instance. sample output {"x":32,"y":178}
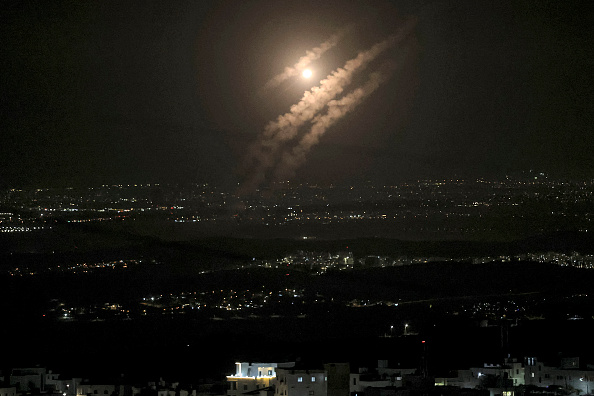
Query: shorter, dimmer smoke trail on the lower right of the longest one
{"x":337,"y":109}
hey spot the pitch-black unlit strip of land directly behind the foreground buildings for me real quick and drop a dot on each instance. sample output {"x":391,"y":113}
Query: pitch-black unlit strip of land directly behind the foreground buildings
{"x":192,"y":349}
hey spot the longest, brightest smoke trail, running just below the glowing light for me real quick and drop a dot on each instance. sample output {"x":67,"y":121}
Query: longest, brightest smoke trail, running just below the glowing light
{"x":264,"y":154}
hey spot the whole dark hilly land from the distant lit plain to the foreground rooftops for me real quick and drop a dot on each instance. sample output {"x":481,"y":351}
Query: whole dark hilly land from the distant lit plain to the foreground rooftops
{"x":356,"y":318}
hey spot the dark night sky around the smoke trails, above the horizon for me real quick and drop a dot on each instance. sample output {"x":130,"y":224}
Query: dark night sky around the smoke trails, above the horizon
{"x":142,"y":91}
